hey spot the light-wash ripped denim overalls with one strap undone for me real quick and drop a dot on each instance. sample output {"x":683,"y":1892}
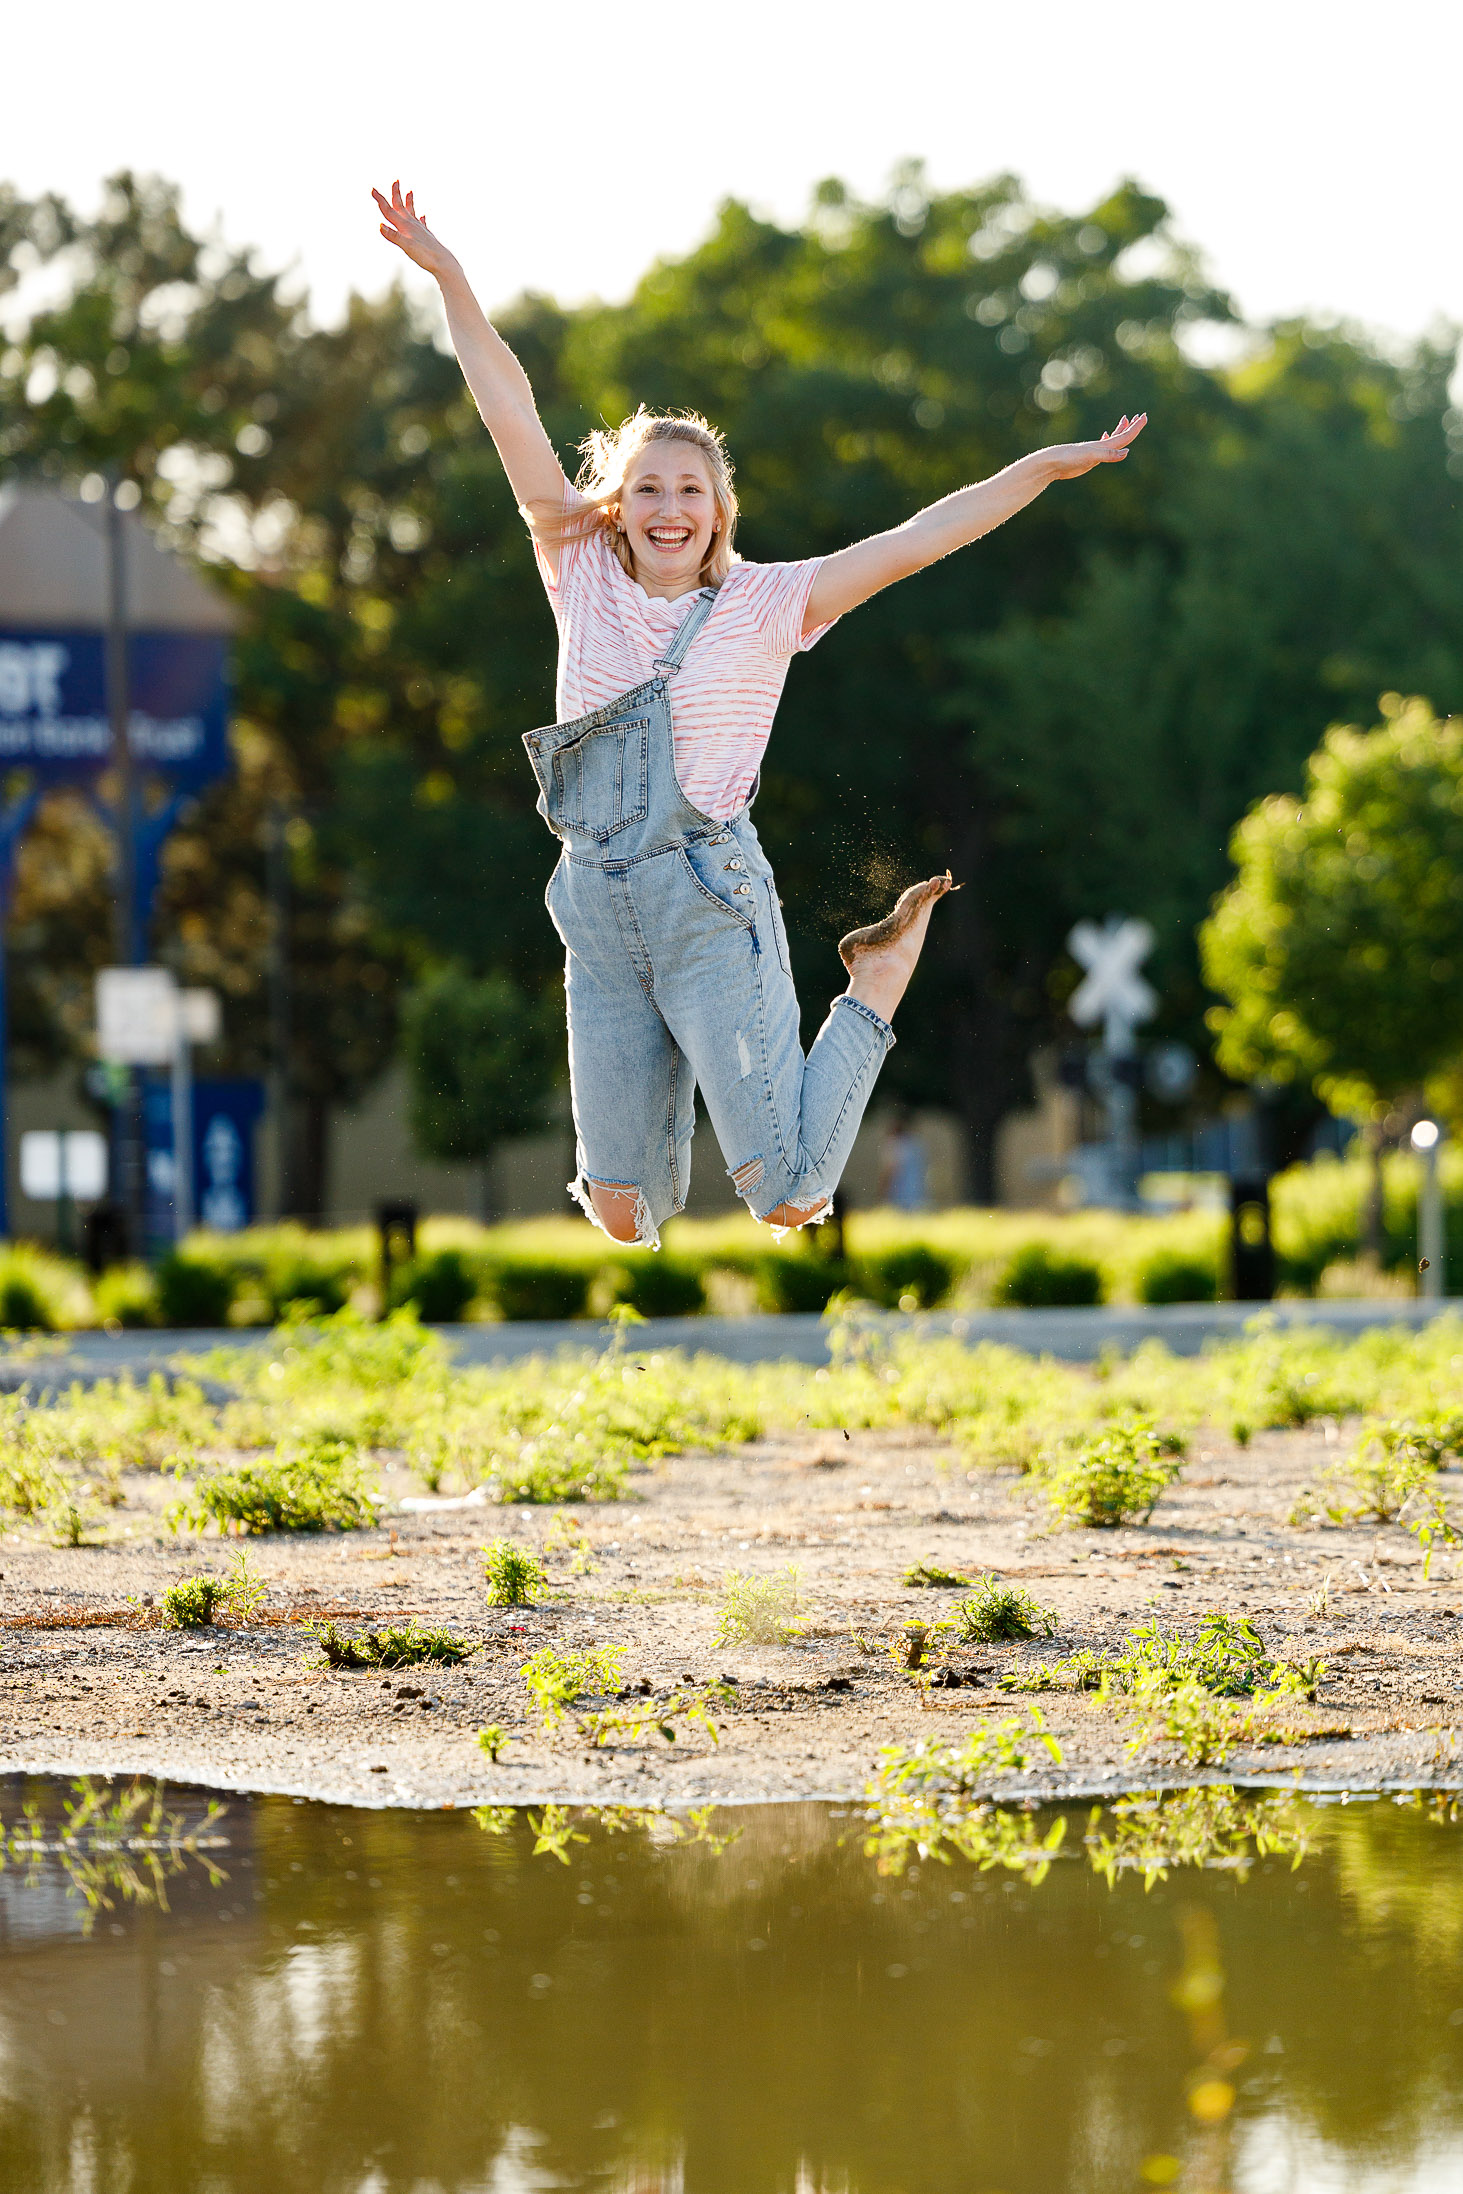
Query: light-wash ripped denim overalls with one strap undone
{"x":679,"y":975}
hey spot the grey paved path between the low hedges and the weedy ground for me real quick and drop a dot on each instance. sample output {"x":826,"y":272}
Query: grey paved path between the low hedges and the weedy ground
{"x":1071,"y":1335}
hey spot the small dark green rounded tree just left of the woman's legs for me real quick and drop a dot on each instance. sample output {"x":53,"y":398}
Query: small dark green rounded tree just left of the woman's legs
{"x":481,"y":1059}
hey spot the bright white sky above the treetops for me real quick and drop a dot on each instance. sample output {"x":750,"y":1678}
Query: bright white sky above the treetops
{"x":1306,"y":146}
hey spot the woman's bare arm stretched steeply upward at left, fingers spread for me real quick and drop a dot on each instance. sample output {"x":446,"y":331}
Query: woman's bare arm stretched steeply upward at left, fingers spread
{"x":499,"y":383}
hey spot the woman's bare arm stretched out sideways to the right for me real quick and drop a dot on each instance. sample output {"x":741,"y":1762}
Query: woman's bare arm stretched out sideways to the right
{"x":857,"y":574}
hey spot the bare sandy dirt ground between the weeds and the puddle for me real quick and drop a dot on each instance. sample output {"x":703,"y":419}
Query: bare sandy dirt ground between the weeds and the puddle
{"x":91,"y":1684}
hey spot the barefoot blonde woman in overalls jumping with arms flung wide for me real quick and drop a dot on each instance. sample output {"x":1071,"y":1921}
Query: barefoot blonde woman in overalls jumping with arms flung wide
{"x":672,"y":661}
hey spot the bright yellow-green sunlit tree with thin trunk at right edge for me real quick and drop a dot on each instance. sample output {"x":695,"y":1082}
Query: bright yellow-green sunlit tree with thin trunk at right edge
{"x":1339,"y":945}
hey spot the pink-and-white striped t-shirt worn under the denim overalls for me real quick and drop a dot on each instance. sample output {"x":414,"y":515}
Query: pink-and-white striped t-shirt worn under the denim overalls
{"x":725,"y":694}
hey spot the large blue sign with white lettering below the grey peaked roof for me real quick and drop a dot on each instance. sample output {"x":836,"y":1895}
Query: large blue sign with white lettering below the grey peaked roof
{"x":54,"y":703}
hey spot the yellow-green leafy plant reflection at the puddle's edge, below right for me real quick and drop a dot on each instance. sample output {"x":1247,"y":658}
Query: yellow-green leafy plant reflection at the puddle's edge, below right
{"x":1207,"y":1827}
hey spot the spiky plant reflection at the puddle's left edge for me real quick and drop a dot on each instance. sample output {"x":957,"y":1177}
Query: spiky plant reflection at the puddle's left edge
{"x":113,"y":1846}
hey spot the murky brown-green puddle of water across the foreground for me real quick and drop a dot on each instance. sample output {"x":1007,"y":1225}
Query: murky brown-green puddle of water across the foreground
{"x":424,"y":2004}
